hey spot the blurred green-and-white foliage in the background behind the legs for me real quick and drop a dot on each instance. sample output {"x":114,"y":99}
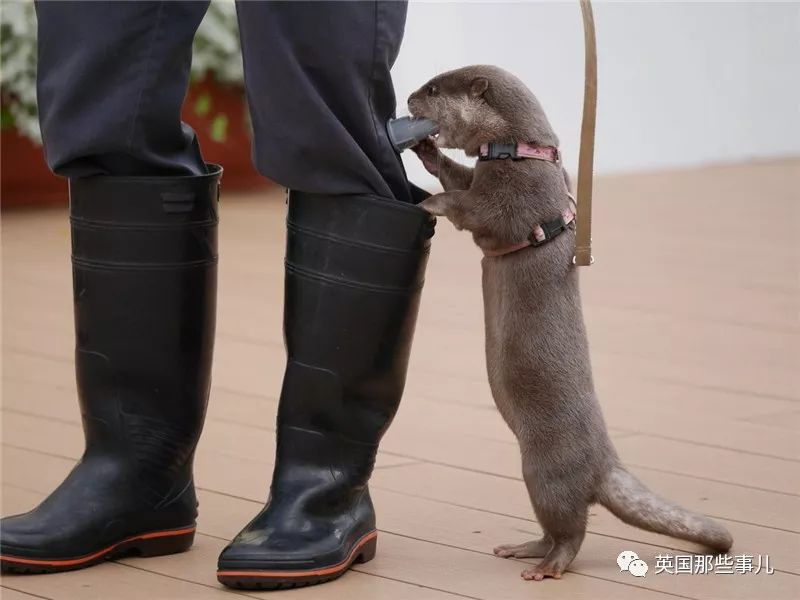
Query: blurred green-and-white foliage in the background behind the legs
{"x":216,"y":54}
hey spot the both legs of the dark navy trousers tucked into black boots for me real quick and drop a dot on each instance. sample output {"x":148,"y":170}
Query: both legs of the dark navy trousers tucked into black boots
{"x":113,"y":75}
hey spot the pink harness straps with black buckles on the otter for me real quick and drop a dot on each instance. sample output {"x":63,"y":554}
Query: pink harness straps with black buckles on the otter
{"x":543,"y":232}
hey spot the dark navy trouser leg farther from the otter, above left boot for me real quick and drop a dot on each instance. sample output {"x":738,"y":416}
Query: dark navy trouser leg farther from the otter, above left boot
{"x":112,"y":79}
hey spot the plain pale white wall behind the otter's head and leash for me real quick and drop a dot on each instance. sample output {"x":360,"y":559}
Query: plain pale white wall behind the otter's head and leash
{"x":680,"y":83}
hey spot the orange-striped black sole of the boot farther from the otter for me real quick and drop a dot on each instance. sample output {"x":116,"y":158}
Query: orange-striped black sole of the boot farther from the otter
{"x":154,"y":543}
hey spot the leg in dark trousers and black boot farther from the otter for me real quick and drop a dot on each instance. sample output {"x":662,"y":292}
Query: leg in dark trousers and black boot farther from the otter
{"x":144,"y":283}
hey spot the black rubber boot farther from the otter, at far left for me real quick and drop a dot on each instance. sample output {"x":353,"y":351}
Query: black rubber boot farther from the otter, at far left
{"x":144,"y":284}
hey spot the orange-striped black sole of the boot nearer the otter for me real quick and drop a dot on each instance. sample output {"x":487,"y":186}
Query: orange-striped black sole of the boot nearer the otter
{"x":258,"y":579}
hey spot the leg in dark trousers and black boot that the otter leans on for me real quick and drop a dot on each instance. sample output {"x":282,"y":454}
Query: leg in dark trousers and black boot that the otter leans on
{"x":355,"y":262}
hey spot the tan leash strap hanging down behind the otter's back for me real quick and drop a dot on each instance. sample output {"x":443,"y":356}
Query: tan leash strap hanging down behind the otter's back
{"x":583,"y":235}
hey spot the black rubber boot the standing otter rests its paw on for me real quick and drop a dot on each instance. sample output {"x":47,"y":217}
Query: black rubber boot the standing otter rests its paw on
{"x":354,"y":274}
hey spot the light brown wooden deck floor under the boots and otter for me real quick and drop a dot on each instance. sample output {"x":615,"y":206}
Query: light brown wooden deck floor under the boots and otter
{"x":692,"y":309}
